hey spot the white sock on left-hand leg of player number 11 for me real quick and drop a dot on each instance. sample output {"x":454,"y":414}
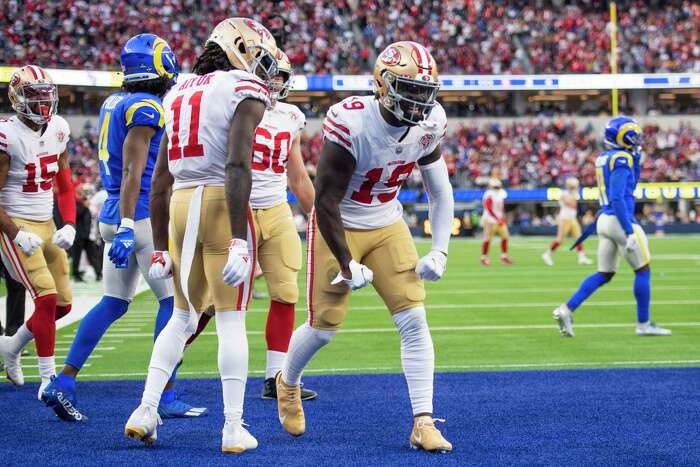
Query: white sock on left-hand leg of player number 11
{"x":167,"y":352}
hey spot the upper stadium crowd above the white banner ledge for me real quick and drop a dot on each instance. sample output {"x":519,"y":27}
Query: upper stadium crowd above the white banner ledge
{"x":341,"y":36}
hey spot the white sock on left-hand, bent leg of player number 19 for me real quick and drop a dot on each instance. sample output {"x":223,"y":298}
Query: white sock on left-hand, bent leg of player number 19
{"x":304,"y":344}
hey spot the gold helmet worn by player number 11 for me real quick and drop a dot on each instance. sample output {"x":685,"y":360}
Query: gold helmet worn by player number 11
{"x":248,"y":45}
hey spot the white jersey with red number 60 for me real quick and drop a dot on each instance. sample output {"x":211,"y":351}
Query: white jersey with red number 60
{"x":271,"y":148}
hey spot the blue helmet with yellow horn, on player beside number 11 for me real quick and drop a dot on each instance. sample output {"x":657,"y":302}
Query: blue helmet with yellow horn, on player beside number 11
{"x":147,"y":56}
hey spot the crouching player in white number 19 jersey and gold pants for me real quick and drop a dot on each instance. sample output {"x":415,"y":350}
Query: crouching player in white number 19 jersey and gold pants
{"x":357,"y":235}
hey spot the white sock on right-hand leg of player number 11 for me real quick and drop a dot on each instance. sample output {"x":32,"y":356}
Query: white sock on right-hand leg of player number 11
{"x":233,"y":362}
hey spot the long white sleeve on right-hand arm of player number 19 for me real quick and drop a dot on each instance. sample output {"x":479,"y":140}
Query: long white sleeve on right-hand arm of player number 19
{"x":441,"y":202}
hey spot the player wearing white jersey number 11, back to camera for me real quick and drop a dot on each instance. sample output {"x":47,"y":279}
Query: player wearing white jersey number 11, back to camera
{"x":204,"y":160}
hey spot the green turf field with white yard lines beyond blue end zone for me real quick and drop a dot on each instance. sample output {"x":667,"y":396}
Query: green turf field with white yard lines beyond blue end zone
{"x":496,"y":318}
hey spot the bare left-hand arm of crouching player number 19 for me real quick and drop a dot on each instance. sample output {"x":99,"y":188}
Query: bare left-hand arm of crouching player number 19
{"x":333,"y":174}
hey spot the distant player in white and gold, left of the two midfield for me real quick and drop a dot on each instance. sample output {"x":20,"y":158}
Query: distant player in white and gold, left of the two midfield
{"x":493,"y":221}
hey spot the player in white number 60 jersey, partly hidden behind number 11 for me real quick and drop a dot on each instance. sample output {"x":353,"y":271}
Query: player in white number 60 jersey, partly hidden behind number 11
{"x":277,"y":164}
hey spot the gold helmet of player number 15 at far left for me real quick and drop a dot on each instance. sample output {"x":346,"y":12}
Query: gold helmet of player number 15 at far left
{"x":33,"y":94}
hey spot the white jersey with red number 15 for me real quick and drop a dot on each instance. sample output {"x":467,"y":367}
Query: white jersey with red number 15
{"x":28,"y":191}
